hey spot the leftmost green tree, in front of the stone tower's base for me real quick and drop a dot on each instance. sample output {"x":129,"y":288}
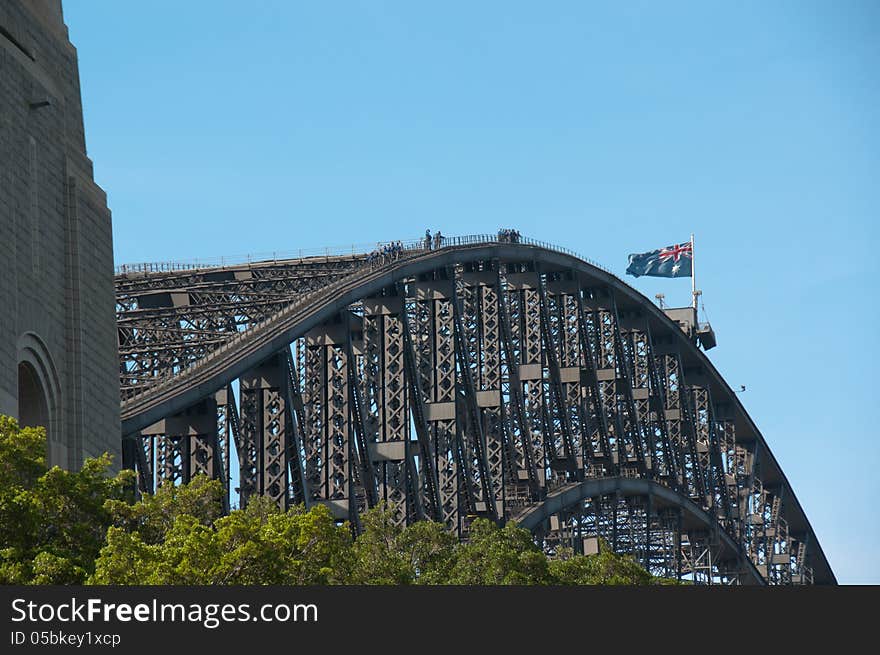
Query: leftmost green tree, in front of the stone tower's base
{"x":52,"y":522}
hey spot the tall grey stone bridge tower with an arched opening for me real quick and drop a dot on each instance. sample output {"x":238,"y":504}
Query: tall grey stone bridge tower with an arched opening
{"x":58,"y":363}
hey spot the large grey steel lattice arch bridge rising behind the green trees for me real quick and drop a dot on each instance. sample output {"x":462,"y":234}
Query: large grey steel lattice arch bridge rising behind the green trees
{"x":482,"y":378}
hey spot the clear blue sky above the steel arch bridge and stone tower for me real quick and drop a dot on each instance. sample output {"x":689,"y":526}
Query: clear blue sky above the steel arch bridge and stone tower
{"x":222,"y":128}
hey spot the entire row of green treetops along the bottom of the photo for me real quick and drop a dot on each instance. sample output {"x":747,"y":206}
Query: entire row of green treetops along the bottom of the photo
{"x":61,"y":527}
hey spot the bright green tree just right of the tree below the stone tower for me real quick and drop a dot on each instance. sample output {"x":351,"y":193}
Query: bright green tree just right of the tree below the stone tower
{"x":179,"y":537}
